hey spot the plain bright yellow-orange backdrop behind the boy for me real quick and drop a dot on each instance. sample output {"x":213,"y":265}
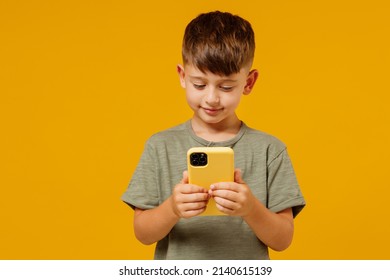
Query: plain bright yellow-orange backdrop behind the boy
{"x":84,"y":83}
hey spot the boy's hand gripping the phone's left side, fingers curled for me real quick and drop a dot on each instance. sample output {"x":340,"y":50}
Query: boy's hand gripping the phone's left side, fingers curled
{"x":188,"y":200}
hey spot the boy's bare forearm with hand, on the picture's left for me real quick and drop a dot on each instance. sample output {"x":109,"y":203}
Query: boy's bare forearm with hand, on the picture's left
{"x":186,"y":201}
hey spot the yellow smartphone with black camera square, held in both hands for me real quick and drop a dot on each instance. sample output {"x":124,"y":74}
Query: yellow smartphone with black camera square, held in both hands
{"x":210,"y":165}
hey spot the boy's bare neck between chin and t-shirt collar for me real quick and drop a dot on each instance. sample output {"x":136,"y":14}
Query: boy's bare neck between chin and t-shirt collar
{"x":216,"y":132}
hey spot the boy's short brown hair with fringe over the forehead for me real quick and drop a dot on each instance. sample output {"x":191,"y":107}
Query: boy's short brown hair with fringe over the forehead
{"x":218,"y":42}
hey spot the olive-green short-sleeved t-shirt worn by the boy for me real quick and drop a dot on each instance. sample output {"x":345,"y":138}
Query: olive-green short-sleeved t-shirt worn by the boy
{"x":266,"y":169}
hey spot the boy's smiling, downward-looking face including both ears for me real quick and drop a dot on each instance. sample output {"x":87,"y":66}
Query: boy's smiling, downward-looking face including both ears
{"x":214,"y":98}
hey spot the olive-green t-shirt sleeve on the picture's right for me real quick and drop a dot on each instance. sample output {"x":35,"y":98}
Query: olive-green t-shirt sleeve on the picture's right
{"x":283,"y":188}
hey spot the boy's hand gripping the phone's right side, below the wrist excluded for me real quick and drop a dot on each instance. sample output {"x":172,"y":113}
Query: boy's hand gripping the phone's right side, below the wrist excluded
{"x":233,"y":198}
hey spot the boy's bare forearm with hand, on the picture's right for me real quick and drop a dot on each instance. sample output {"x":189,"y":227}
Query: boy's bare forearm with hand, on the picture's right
{"x":273,"y":229}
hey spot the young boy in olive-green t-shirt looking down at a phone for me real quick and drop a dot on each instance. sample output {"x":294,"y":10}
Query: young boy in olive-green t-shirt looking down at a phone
{"x":218,"y":51}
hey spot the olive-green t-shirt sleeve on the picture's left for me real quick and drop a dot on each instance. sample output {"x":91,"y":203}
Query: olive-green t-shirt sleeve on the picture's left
{"x":142,"y":191}
